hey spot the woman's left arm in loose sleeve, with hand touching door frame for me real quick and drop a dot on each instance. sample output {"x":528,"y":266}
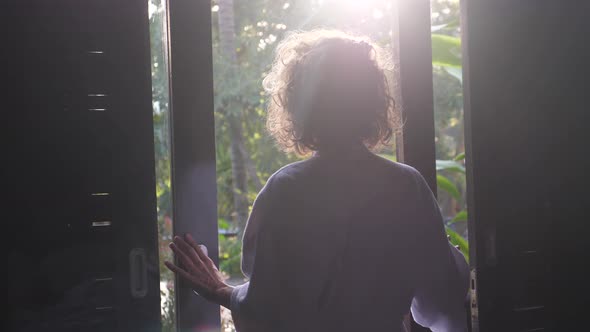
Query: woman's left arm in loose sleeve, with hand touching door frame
{"x":253,"y":304}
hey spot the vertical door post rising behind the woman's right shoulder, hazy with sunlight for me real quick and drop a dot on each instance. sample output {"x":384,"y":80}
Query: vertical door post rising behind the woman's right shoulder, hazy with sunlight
{"x":415,"y":145}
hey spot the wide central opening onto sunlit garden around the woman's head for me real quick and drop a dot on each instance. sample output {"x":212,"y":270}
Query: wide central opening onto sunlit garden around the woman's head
{"x":245,"y":34}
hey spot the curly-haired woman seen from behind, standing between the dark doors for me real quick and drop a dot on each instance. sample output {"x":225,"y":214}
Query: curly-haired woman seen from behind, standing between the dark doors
{"x":344,"y":240}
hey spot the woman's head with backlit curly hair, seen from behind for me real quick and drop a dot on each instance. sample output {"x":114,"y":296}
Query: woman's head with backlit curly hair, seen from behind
{"x":329,"y":89}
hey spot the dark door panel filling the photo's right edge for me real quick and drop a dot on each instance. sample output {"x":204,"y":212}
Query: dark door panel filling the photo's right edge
{"x":526,"y":78}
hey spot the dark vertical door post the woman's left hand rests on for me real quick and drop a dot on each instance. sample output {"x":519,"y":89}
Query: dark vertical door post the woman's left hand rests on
{"x":193,"y":147}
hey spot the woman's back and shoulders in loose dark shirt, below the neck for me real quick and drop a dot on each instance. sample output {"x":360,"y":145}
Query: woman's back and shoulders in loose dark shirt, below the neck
{"x":344,"y":241}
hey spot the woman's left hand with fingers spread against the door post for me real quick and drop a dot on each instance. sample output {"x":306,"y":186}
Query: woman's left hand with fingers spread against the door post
{"x":199,"y":271}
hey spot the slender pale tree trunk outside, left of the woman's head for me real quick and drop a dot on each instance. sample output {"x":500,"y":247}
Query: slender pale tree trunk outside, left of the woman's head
{"x":234,"y":115}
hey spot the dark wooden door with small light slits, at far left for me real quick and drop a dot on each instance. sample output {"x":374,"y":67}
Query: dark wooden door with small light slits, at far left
{"x":80,"y":206}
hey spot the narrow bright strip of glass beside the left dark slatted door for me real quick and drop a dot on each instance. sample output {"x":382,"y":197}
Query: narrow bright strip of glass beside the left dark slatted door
{"x":160,"y":100}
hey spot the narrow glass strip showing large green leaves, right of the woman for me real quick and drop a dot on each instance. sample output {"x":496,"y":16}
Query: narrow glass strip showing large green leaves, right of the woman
{"x":448,"y":113}
